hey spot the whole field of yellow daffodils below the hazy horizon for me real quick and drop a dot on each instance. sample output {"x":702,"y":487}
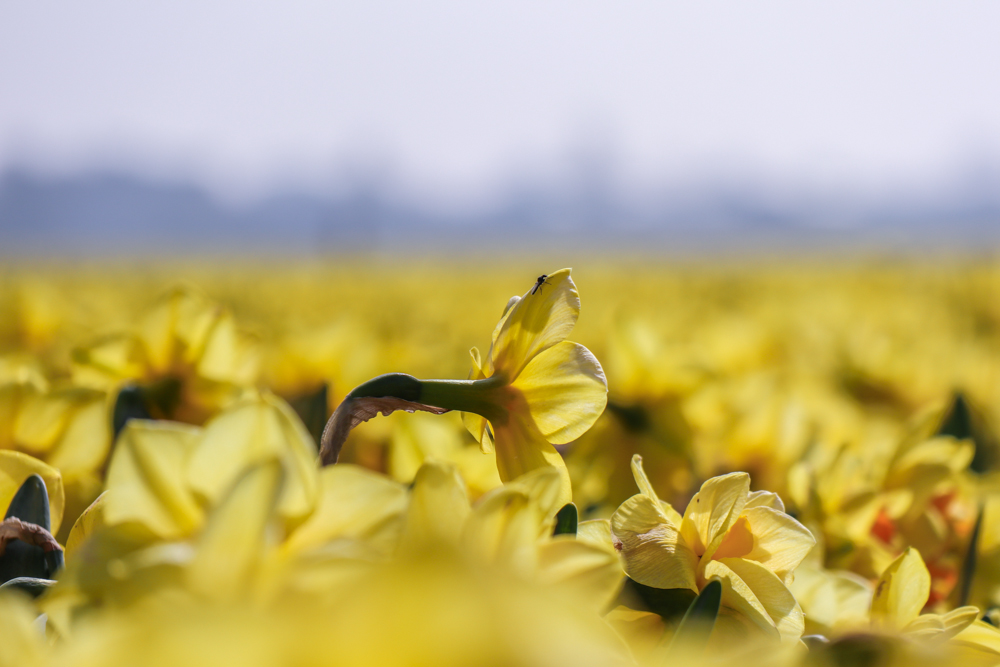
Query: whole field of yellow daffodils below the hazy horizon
{"x":787,"y":462}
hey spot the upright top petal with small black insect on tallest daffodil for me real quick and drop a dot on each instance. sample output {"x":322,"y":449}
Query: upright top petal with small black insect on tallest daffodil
{"x":535,"y":323}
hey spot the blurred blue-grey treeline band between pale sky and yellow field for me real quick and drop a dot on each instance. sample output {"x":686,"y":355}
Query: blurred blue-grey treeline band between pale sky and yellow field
{"x":108,"y":213}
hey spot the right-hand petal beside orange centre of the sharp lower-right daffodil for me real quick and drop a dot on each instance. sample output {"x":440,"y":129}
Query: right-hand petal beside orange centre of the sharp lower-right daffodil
{"x":779,"y":541}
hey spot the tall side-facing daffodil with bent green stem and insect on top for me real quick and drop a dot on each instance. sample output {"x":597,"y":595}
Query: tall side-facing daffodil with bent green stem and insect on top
{"x":534,"y":389}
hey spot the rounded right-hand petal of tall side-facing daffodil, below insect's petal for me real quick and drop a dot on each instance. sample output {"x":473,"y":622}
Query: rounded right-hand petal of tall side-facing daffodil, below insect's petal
{"x":565,"y":389}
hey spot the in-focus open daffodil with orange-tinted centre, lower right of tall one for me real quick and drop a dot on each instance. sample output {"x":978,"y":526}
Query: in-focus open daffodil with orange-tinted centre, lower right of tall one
{"x":743,"y":539}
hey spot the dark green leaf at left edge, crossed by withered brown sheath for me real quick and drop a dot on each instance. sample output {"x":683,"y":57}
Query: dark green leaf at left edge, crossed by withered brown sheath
{"x":31,"y":505}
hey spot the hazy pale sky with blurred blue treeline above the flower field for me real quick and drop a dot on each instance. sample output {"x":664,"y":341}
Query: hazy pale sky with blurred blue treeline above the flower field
{"x":316,"y":128}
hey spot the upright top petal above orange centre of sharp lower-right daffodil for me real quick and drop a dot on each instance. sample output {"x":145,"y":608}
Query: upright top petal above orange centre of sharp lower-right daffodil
{"x":714,"y":510}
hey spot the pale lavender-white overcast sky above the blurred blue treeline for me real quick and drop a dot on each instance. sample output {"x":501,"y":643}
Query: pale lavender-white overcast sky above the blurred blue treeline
{"x":451,"y":97}
